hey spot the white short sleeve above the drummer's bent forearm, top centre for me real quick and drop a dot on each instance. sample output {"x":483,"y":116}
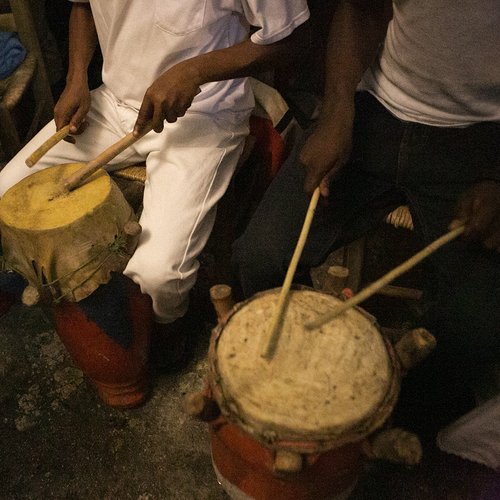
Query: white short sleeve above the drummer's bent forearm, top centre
{"x":274,"y":19}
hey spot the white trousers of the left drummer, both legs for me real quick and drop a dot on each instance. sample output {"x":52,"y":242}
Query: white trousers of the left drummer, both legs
{"x":188,"y":168}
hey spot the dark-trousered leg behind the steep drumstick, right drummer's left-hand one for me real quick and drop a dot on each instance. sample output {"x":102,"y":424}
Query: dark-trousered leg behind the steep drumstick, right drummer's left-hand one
{"x":360,"y":198}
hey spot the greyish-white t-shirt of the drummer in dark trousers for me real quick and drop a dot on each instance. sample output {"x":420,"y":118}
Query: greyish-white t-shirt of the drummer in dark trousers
{"x":440,"y":62}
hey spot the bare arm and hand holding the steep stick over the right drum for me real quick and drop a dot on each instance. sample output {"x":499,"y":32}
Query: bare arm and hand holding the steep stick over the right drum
{"x":357,"y":29}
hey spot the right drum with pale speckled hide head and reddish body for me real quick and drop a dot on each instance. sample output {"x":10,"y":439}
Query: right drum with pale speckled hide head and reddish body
{"x":294,"y":427}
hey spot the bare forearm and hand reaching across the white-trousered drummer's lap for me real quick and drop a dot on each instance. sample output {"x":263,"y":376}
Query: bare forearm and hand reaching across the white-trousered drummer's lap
{"x":170,"y":95}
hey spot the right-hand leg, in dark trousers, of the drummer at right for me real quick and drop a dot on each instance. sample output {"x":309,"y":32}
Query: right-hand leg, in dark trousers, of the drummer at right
{"x":437,"y":166}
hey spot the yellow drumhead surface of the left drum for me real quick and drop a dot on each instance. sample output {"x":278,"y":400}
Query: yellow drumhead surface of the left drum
{"x":35,"y":202}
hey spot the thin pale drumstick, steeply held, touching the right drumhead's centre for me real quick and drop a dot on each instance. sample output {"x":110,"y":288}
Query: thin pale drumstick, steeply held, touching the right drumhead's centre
{"x":279,"y":312}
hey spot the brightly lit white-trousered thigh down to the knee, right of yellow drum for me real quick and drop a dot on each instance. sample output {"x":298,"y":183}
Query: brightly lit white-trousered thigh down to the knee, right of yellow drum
{"x":189,"y":167}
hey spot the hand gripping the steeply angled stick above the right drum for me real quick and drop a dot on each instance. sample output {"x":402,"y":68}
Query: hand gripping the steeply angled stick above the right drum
{"x":328,"y":149}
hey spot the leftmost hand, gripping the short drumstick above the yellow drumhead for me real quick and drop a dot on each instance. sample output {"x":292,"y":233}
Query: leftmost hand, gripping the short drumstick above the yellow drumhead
{"x":72,"y":108}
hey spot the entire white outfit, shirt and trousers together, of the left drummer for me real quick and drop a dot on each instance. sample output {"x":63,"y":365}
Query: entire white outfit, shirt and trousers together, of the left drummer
{"x":190,"y":164}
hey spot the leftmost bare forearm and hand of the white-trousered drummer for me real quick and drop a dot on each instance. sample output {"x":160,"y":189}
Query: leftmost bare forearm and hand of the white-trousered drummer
{"x":74,"y":103}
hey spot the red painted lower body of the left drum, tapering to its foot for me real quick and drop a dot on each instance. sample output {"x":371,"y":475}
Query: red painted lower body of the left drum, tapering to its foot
{"x":119,"y":373}
